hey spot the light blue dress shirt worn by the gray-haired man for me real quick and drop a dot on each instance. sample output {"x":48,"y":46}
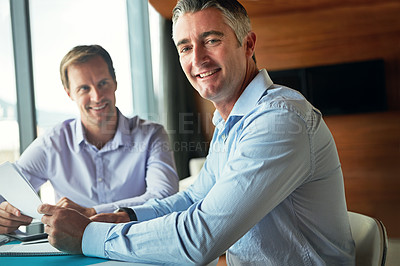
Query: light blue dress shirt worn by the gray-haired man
{"x":270,"y":193}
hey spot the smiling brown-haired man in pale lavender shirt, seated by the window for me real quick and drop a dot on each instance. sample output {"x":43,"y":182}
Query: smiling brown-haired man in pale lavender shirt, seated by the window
{"x":103,"y":161}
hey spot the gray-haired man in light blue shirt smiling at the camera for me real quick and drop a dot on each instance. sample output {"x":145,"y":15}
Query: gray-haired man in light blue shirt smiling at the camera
{"x":271,"y":190}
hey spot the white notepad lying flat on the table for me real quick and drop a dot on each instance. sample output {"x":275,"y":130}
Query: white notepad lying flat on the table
{"x":39,"y":248}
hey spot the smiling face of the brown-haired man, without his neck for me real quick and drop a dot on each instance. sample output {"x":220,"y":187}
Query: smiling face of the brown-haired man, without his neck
{"x":93,"y":90}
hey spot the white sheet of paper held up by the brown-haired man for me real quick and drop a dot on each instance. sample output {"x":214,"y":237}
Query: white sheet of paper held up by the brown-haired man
{"x":18,"y":191}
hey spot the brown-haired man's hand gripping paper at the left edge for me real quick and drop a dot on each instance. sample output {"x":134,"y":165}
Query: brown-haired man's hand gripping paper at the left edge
{"x":11,"y":218}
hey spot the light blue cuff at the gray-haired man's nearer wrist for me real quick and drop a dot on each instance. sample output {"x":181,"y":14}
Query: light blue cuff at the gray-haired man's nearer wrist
{"x":94,"y":238}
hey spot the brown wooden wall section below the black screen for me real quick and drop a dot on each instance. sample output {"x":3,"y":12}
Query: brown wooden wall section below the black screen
{"x":369,"y":151}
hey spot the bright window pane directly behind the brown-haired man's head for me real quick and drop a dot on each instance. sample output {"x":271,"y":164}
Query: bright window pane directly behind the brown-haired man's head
{"x":58,"y":26}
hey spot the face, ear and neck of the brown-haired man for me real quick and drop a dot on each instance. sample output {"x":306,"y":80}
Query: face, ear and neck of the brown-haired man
{"x":93,"y":88}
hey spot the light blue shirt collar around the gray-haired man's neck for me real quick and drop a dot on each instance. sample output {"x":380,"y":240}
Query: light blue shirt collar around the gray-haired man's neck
{"x":250,"y":96}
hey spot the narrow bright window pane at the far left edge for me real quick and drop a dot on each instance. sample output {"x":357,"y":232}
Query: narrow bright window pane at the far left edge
{"x":9,"y":134}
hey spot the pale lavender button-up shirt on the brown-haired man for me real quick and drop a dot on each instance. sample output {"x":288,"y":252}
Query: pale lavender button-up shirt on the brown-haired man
{"x":133,"y":167}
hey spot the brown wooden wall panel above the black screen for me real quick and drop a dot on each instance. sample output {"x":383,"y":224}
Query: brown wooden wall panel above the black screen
{"x":337,"y":35}
